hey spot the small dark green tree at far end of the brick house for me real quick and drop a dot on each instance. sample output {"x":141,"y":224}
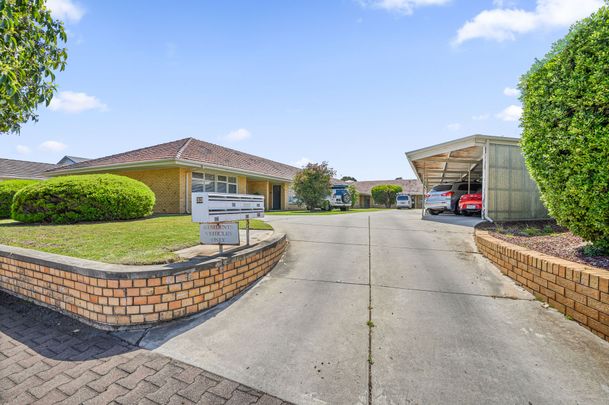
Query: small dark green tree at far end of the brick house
{"x":313,"y":184}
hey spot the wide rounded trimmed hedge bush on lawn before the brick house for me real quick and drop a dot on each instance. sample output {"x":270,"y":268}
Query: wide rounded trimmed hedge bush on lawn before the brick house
{"x":95,"y":197}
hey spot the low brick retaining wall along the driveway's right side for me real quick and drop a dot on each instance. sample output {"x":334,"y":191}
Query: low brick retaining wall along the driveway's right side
{"x":578,"y":291}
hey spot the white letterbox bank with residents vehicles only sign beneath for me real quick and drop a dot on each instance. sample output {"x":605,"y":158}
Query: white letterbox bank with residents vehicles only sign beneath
{"x":217,"y":212}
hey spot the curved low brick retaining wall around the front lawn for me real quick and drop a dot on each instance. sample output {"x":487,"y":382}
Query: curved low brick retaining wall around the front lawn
{"x":121,"y":297}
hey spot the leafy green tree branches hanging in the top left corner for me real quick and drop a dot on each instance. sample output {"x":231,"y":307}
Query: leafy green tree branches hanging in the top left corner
{"x":30,"y":51}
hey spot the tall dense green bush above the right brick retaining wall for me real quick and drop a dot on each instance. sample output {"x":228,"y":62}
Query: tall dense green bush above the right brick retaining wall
{"x":565,"y":124}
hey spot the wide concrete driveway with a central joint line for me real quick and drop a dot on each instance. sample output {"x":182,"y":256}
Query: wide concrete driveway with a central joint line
{"x":446,"y":326}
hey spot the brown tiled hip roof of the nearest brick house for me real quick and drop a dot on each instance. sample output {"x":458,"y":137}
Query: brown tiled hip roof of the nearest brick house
{"x":196,"y":151}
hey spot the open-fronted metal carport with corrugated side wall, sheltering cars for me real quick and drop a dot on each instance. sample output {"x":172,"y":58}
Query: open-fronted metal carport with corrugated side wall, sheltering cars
{"x":508,"y":191}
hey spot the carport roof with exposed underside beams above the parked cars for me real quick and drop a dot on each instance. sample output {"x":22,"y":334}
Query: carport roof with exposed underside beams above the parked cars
{"x":451,"y":161}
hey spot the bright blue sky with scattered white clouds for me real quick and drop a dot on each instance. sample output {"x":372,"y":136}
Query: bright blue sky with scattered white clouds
{"x":353,"y":82}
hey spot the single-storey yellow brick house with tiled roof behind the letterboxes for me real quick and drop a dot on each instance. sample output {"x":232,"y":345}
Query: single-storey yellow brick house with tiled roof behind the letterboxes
{"x":175,"y":169}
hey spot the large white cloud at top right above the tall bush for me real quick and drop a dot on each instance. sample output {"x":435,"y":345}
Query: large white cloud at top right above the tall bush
{"x":501,"y":24}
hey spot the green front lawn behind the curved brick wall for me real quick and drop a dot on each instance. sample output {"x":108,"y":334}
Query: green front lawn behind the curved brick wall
{"x":146,"y":241}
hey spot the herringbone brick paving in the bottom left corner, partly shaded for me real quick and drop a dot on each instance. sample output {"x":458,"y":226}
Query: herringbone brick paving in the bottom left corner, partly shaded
{"x":48,"y":358}
